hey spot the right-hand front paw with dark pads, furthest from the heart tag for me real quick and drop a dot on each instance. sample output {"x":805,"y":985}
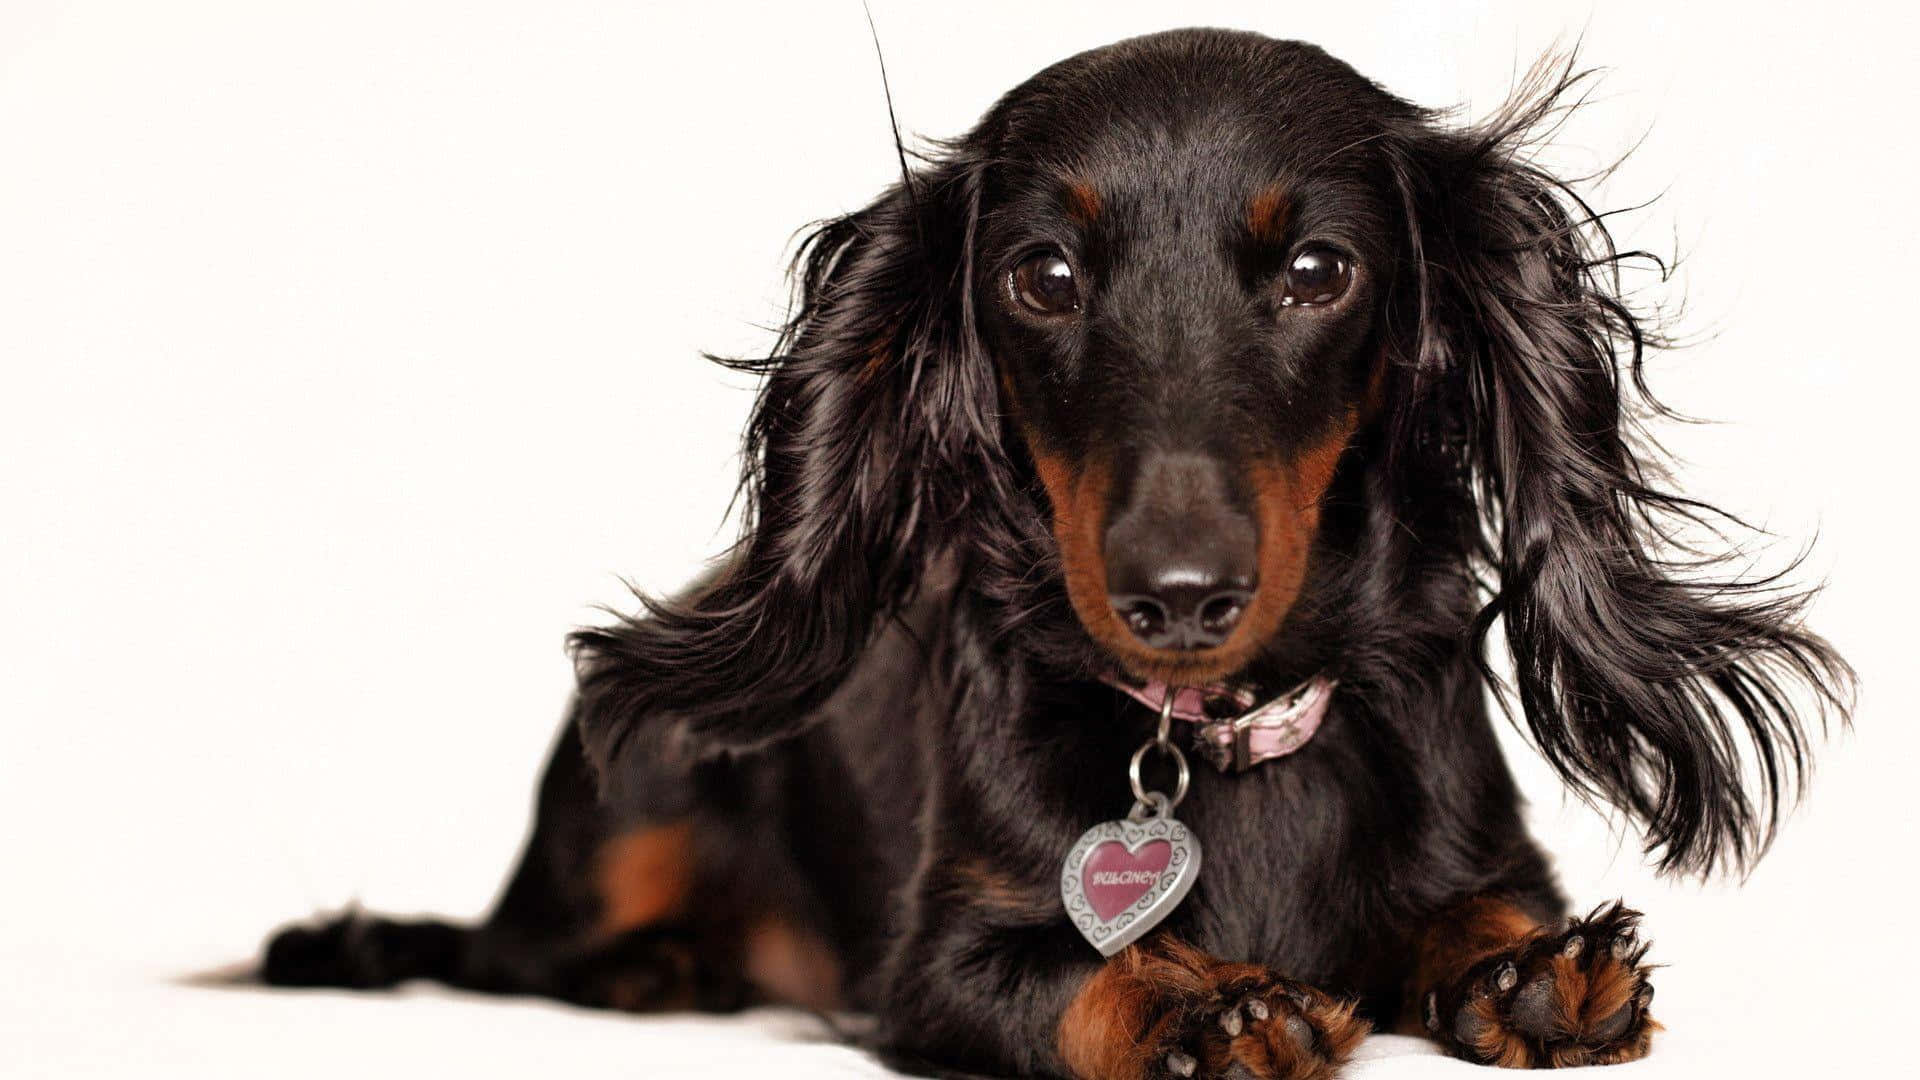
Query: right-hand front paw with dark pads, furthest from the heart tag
{"x":1566,"y":996}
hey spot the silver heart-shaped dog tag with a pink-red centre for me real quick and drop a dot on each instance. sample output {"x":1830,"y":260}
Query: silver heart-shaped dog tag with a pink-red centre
{"x":1124,"y":877}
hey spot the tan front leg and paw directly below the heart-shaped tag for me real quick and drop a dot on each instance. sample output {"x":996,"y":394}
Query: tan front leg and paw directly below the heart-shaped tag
{"x":1172,"y":1012}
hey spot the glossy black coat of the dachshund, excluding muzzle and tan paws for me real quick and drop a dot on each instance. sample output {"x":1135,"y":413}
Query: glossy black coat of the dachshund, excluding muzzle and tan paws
{"x":886,"y":695}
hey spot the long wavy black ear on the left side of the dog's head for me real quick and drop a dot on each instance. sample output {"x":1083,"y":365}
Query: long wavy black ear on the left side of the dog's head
{"x":873,"y":428}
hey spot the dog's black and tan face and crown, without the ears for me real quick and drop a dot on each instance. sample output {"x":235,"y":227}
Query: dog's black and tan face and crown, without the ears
{"x":1184,"y":258}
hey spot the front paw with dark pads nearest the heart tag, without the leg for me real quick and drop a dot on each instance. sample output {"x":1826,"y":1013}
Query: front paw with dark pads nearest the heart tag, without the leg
{"x":1259,"y":1027}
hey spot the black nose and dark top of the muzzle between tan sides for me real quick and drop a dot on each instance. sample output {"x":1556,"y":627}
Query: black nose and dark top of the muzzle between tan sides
{"x":1180,"y":556}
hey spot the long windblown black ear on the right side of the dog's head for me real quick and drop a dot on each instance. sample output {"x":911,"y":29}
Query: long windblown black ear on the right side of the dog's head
{"x":1644,"y":675}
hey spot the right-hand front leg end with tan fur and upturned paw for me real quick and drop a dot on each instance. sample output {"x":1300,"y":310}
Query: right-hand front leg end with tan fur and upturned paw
{"x":1493,"y":985}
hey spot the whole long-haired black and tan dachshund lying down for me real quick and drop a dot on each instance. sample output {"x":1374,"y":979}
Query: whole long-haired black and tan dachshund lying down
{"x":1101,"y":685}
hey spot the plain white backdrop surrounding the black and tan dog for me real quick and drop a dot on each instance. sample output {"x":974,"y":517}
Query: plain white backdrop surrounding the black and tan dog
{"x":350,"y":355}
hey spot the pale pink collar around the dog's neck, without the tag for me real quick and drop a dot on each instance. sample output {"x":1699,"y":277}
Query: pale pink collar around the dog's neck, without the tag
{"x":1259,"y":733}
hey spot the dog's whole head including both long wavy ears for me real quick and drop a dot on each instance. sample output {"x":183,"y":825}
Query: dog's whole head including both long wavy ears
{"x":1140,"y":337}
